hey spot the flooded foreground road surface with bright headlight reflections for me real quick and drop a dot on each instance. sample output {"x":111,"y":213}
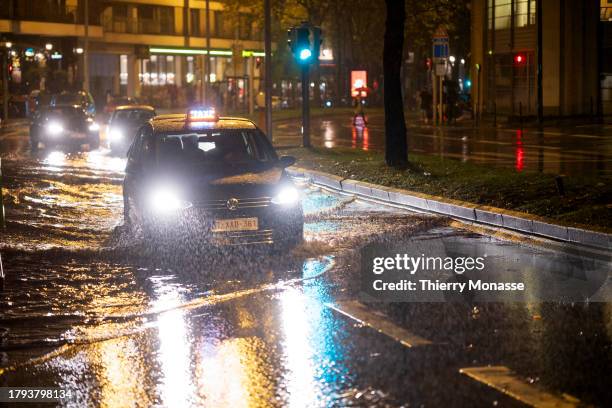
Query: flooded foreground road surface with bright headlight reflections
{"x":89,"y":308}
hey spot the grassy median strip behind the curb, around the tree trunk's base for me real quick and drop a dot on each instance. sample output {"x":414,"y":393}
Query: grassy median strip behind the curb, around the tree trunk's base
{"x":586,"y":203}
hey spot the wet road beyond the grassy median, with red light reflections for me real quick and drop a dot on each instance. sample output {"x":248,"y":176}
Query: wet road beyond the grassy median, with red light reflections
{"x":570,"y":150}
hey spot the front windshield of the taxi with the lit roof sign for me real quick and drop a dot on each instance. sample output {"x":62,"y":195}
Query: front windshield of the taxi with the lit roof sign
{"x":215,"y":148}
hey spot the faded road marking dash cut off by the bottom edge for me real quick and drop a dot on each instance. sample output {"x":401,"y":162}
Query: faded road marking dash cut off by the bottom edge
{"x":505,"y":380}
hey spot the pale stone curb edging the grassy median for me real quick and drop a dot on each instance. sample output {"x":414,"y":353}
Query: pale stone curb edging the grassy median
{"x":493,"y":216}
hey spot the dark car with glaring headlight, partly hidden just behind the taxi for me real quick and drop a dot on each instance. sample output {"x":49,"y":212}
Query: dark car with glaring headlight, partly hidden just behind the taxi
{"x":123,"y":124}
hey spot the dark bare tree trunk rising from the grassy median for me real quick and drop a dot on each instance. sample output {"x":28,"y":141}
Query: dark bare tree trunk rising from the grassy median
{"x":396,"y":146}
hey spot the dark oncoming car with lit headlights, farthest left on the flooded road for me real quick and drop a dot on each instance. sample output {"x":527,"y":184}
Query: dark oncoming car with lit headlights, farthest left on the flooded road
{"x":64,"y":125}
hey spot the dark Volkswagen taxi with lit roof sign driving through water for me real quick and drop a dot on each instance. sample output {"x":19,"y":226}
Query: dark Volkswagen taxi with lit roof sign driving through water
{"x":197,"y":175}
